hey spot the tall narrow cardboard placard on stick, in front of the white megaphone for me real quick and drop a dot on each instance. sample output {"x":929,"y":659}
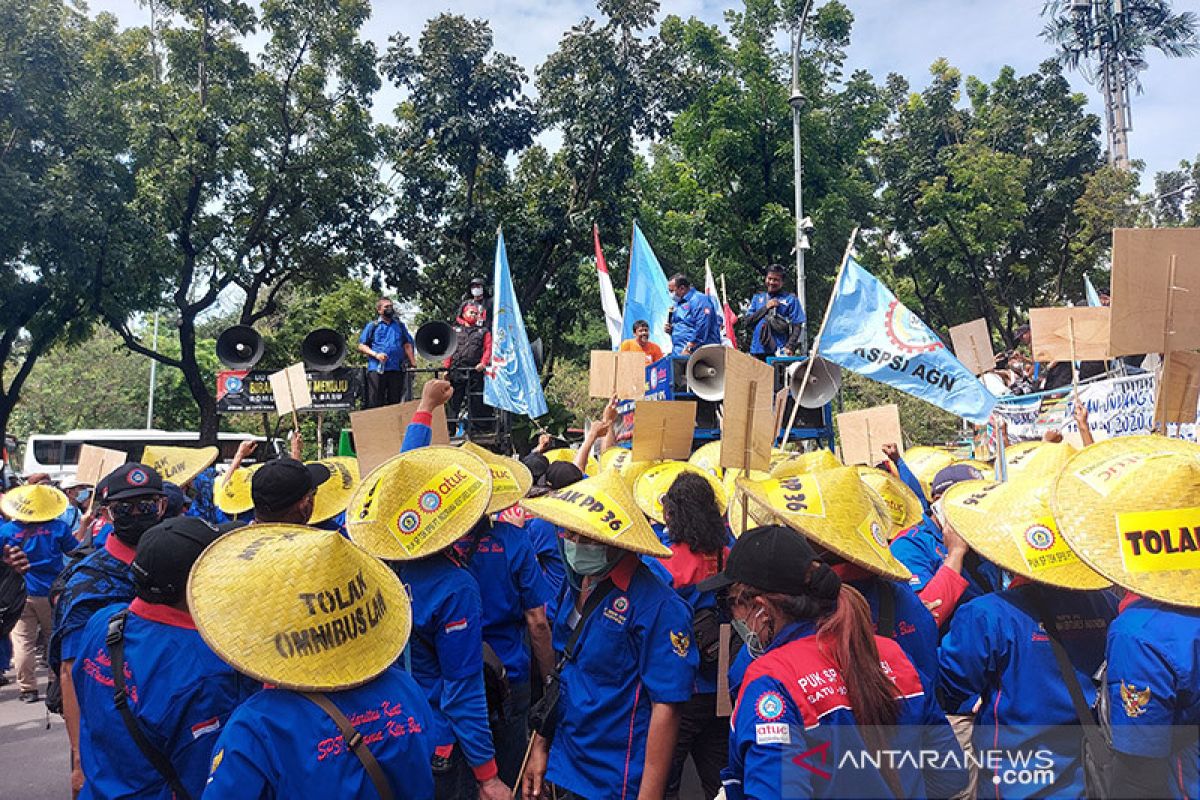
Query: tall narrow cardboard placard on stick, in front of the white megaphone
{"x":748,"y":430}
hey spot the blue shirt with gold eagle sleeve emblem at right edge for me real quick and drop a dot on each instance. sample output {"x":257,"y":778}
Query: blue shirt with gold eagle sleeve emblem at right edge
{"x":1154,"y":685}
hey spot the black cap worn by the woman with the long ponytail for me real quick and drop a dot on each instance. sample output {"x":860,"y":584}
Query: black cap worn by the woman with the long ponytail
{"x":770,"y":560}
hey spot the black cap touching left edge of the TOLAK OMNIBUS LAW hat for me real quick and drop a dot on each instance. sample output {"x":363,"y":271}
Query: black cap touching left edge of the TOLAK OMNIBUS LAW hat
{"x":166,"y":555}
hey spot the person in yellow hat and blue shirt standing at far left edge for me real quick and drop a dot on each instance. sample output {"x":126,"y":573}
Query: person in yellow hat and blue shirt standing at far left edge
{"x":38,"y":530}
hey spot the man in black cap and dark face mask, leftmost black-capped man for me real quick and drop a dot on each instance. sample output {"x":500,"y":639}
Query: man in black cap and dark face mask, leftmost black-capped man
{"x":133,"y":500}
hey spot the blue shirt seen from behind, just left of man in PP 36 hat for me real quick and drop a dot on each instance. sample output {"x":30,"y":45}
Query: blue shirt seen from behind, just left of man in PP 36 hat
{"x":511,"y":584}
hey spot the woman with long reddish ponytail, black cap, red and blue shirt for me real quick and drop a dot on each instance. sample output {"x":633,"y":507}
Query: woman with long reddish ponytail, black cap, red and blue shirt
{"x":827,"y":708}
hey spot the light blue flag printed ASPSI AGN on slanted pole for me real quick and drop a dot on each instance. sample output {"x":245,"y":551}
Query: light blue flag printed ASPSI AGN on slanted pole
{"x":872,"y":333}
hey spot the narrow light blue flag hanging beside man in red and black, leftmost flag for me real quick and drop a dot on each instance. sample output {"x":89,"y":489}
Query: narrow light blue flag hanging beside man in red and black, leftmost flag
{"x":511,"y":381}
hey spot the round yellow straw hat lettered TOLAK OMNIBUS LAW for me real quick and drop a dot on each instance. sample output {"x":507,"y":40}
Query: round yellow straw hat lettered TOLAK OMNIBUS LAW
{"x":301,"y":609}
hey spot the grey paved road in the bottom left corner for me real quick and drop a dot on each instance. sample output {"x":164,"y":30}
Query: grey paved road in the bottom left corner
{"x":35,"y":760}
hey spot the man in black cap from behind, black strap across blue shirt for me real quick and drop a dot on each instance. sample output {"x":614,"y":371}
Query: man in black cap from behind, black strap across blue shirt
{"x":178,"y":694}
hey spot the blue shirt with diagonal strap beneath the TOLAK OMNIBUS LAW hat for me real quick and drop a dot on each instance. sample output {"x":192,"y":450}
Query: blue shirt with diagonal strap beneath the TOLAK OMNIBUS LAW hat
{"x":280,"y":744}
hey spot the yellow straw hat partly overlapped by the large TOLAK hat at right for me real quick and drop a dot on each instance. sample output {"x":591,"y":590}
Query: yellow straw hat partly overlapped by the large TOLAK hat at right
{"x":1011,"y":526}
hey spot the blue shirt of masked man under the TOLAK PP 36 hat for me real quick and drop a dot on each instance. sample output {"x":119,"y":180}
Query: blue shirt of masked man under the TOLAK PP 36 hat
{"x":635,"y":651}
